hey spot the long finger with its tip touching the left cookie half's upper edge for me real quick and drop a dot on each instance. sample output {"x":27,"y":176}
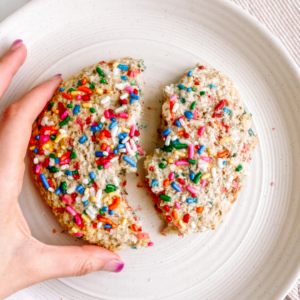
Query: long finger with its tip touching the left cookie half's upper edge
{"x":16,"y":123}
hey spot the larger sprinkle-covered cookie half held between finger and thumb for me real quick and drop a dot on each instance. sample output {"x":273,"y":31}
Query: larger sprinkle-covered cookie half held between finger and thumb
{"x":82,"y":145}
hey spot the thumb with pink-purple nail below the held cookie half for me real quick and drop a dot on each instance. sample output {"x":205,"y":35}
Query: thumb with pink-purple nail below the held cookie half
{"x":68,"y":261}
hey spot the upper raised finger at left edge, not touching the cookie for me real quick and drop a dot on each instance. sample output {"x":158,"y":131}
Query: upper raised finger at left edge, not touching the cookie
{"x":10,"y":63}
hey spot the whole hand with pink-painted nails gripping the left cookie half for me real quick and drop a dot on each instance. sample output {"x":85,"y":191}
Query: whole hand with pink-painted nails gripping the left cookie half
{"x":24,"y":260}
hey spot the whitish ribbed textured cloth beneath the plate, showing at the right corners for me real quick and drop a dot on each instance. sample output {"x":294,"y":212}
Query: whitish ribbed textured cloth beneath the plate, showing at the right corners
{"x":282,"y":18}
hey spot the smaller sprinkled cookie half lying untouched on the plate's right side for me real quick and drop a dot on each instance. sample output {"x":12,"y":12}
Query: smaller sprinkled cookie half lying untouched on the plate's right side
{"x":195,"y":177}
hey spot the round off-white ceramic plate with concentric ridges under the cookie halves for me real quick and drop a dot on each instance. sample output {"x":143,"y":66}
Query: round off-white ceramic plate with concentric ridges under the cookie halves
{"x":254,"y":253}
